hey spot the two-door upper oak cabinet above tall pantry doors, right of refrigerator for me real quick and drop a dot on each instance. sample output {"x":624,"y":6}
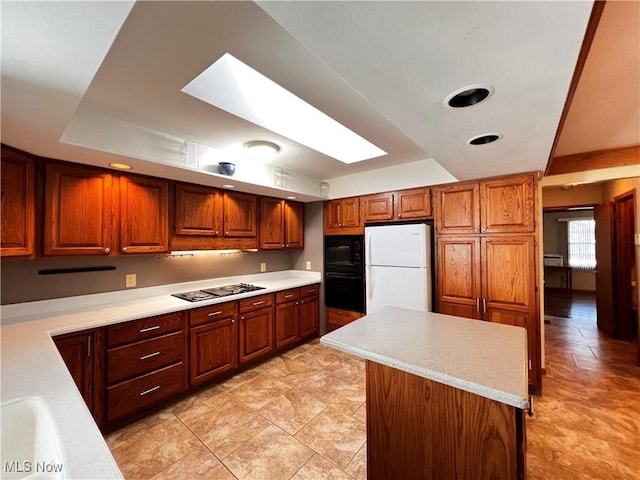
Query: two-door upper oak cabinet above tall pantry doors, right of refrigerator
{"x":493,"y":206}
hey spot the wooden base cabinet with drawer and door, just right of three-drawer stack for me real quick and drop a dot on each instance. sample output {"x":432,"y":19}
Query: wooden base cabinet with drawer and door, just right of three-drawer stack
{"x":213,"y":340}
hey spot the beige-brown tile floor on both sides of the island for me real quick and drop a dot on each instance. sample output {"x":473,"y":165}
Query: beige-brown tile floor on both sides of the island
{"x":301,"y":415}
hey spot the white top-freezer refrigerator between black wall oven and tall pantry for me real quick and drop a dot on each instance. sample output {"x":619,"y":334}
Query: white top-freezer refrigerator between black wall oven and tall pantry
{"x":398,"y":266}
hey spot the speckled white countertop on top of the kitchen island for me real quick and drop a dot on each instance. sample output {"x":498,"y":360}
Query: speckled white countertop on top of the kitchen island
{"x":484,"y":358}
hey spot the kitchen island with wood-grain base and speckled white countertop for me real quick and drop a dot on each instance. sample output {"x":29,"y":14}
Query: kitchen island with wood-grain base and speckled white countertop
{"x":445,"y":395}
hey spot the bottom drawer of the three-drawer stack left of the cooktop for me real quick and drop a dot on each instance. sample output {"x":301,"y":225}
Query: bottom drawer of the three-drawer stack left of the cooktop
{"x":130,"y":396}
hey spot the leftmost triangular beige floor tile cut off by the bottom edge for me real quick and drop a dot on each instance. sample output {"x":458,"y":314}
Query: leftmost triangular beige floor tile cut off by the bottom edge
{"x":200,"y":463}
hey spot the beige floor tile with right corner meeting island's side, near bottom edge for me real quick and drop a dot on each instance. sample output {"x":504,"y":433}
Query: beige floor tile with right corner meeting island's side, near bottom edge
{"x":334,"y":435}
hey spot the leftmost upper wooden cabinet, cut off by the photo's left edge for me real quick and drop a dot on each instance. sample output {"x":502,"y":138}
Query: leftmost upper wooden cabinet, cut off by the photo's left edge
{"x":17,"y":205}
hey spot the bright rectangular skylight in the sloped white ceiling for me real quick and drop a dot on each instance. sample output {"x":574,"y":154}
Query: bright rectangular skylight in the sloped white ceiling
{"x":238,"y":89}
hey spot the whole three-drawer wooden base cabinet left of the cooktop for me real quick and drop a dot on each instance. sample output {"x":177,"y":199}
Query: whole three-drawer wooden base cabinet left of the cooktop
{"x":146,"y":364}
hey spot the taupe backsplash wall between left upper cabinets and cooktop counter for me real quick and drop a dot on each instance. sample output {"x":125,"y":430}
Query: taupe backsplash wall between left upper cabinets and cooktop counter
{"x":22,"y":282}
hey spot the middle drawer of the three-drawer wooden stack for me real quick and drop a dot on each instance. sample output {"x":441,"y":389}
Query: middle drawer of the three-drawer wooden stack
{"x":141,"y":357}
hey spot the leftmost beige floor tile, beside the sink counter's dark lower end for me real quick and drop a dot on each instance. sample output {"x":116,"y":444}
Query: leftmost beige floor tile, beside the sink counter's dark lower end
{"x":162,"y":445}
